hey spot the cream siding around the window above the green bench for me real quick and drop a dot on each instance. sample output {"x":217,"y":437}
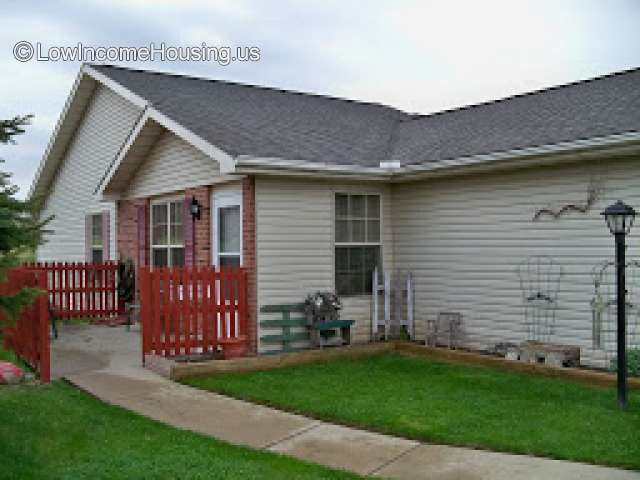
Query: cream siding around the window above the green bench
{"x":295,"y":242}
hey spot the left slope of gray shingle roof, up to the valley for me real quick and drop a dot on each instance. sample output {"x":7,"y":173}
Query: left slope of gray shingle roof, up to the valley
{"x":265,"y":122}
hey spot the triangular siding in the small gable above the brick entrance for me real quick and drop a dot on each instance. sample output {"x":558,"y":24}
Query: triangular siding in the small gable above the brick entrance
{"x":172,"y":165}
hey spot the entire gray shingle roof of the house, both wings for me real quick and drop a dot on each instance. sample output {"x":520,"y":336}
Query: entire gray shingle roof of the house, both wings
{"x":266,"y":122}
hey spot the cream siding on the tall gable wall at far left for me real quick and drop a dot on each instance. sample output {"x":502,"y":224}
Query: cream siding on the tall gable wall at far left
{"x":106,"y":124}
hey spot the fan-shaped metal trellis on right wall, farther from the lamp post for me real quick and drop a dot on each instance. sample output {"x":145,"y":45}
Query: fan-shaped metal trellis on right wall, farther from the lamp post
{"x":540,"y":282}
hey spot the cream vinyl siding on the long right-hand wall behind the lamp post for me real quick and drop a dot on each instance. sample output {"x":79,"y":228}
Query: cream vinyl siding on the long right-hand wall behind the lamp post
{"x":463,"y":238}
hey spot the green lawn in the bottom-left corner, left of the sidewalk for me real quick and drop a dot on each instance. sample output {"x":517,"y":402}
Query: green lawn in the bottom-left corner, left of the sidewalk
{"x":56,"y":431}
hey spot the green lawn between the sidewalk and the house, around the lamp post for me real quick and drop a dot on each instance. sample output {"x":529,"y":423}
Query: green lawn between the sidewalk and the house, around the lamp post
{"x":461,"y":405}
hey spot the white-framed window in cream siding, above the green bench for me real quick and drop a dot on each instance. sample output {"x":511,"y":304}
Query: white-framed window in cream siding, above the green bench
{"x":357,"y":242}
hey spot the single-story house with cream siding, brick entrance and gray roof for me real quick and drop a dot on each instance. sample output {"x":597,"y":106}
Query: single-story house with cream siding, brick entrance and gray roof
{"x":309,"y":192}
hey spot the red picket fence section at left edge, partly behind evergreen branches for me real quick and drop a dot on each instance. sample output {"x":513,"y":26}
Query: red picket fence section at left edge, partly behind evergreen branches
{"x":28,"y":334}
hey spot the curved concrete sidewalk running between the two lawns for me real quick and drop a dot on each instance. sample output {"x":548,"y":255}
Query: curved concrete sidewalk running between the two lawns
{"x":115,"y":376}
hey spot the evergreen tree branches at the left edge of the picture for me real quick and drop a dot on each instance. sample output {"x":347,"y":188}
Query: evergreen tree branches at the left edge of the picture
{"x":20,"y":229}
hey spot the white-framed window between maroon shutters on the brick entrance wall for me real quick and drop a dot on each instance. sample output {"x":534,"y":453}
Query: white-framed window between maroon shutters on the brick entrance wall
{"x":167,"y":234}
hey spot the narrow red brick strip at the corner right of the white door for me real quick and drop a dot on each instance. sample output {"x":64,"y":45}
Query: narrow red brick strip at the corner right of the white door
{"x":249,"y":258}
